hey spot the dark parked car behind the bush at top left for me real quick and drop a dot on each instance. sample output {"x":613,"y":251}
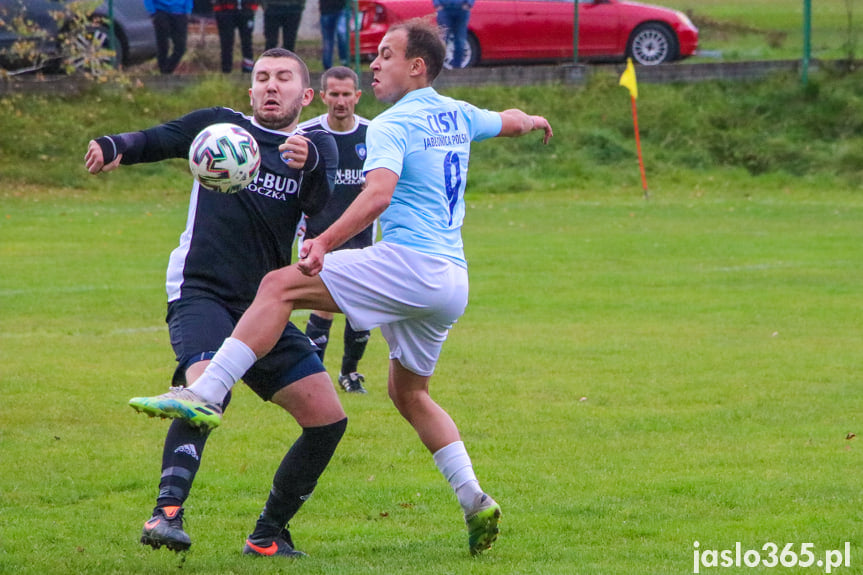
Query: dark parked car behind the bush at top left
{"x":43,"y":34}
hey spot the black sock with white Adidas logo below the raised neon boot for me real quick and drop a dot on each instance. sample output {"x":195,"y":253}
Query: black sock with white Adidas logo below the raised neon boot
{"x":181,"y":458}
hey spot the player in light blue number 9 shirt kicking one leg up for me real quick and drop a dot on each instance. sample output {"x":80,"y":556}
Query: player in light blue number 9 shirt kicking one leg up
{"x":413,"y":284}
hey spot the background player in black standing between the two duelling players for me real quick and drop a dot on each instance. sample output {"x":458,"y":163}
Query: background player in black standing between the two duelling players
{"x":340,"y":92}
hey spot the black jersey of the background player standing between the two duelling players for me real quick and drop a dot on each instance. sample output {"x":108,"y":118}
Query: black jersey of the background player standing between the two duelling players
{"x":349,"y":179}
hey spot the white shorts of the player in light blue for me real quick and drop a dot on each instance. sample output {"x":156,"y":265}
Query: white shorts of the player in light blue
{"x":413,"y":297}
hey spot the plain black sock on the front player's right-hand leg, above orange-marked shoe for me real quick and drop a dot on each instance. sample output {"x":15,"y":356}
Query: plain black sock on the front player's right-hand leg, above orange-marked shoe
{"x":296,"y":477}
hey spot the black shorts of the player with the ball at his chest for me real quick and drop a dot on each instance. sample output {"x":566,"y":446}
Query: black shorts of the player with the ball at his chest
{"x":198,"y":325}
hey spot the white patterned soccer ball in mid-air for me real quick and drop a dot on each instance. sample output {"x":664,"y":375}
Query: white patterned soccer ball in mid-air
{"x":224,"y":158}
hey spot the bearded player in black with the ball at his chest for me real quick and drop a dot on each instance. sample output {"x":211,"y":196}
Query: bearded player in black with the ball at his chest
{"x":231,"y":241}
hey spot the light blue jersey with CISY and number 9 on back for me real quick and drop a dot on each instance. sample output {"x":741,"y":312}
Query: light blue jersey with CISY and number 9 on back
{"x":425,"y":139}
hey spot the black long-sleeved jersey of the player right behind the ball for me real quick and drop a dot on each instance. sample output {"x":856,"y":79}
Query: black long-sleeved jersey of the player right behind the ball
{"x":232,"y":240}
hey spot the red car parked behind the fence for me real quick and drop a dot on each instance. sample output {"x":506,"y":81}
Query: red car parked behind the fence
{"x":541,"y":30}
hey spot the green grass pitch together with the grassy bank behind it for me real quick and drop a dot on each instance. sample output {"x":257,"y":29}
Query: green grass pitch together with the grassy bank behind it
{"x":631,"y":375}
